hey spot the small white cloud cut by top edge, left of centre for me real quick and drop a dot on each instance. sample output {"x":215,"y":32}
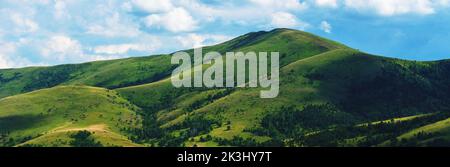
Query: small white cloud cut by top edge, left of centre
{"x":153,"y":6}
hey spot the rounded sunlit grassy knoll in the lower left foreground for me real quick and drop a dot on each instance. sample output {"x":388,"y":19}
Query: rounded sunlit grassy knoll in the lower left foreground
{"x":47,"y":112}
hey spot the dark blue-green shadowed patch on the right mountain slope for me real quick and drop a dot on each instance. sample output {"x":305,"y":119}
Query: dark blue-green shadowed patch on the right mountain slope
{"x":398,"y":90}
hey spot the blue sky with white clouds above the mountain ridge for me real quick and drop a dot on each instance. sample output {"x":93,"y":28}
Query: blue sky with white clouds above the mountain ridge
{"x":50,"y":32}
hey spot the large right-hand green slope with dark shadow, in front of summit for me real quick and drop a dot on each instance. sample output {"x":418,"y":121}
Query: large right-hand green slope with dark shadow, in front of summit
{"x":338,"y":88}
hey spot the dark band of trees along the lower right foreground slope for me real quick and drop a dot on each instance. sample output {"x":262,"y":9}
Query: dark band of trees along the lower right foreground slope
{"x":370,"y":134}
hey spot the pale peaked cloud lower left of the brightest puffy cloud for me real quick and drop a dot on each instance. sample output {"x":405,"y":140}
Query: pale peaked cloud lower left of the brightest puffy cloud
{"x":113,"y":27}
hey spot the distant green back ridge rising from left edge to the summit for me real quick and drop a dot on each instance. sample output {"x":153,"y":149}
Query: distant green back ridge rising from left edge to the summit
{"x":135,"y":71}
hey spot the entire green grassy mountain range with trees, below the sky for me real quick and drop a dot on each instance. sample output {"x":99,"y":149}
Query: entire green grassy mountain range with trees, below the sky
{"x":330,"y":95}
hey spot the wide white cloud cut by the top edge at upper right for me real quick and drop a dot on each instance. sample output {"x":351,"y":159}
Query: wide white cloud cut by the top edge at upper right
{"x":393,"y":7}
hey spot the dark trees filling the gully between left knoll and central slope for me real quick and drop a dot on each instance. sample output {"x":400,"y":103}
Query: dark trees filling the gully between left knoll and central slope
{"x":152,"y":133}
